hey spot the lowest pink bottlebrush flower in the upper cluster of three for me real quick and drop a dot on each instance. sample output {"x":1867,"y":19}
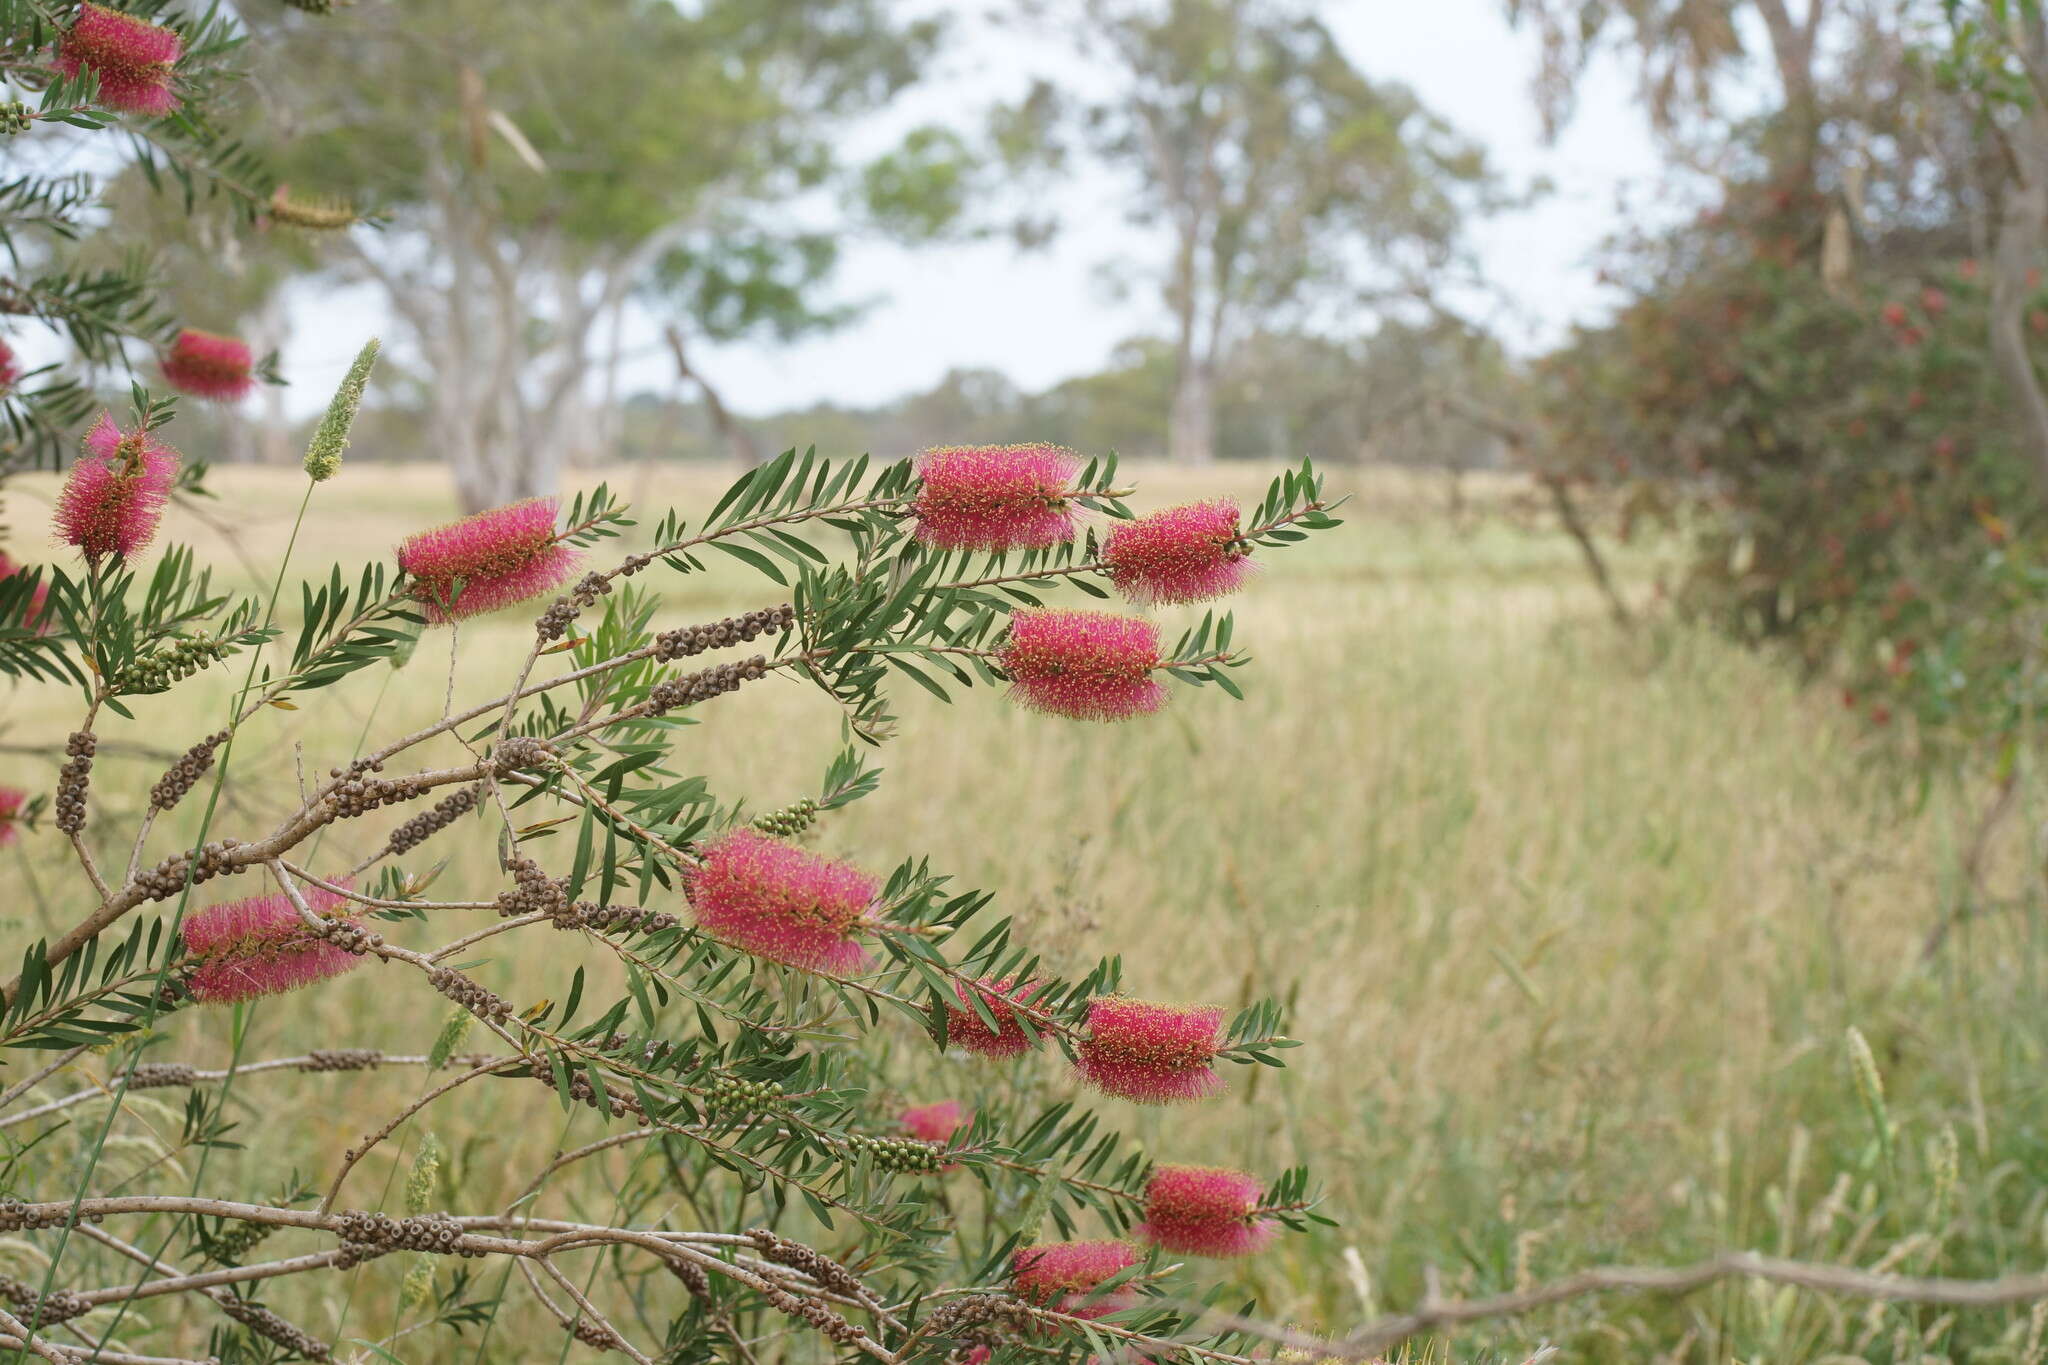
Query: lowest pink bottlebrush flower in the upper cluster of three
{"x":1084,"y":666}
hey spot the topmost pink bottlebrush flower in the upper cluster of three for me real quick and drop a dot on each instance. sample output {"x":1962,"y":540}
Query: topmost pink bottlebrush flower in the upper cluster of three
{"x":996,"y":498}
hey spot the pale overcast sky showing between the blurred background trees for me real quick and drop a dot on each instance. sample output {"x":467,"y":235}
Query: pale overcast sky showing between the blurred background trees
{"x":1052,"y":314}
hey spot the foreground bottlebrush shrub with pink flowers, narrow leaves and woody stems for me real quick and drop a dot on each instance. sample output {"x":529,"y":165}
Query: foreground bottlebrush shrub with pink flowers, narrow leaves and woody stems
{"x":720,"y":994}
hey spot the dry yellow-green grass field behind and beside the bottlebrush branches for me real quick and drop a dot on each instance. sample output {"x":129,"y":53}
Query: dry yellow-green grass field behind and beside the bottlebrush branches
{"x":1572,"y":926}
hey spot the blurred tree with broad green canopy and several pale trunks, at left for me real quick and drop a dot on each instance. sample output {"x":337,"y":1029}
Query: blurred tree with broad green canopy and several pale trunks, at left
{"x":540,"y":165}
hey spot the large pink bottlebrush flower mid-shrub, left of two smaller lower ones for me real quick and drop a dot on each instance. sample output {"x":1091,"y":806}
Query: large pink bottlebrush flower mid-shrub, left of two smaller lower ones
{"x":781,"y":904}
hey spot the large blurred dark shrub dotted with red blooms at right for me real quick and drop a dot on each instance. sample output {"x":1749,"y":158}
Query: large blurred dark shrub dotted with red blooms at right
{"x":1838,"y":455}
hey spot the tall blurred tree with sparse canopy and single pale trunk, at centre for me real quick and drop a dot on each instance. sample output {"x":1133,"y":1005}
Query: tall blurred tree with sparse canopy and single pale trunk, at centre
{"x":1289,"y":185}
